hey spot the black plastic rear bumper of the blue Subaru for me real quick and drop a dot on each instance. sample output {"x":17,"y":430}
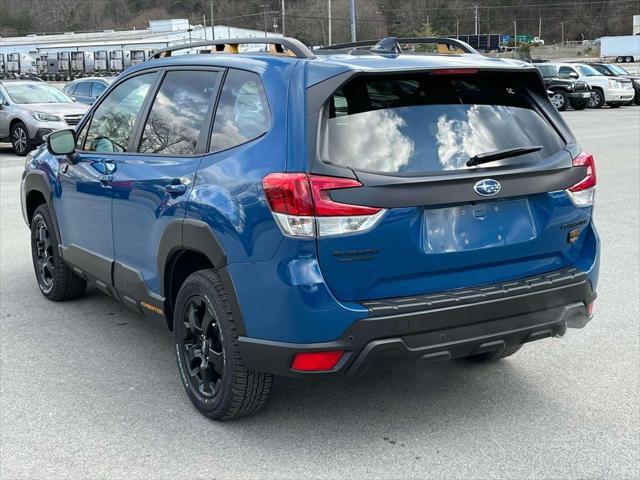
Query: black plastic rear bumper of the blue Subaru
{"x":418,"y":330}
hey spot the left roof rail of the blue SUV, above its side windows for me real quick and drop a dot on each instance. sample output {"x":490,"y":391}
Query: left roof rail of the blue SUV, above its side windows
{"x":230,"y":45}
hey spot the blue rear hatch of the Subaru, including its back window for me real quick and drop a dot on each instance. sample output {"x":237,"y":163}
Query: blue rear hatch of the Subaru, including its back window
{"x":407,"y":139}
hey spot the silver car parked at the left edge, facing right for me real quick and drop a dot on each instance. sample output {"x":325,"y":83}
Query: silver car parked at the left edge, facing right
{"x":31,"y":110}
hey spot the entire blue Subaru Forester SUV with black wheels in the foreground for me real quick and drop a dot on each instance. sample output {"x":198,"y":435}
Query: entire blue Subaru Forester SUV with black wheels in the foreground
{"x":323,"y":213}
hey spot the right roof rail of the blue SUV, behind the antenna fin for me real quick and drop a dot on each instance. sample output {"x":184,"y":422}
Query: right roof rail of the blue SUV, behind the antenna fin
{"x":393,"y":45}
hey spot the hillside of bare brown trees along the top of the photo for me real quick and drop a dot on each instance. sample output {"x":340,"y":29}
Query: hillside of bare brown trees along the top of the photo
{"x":307,"y":19}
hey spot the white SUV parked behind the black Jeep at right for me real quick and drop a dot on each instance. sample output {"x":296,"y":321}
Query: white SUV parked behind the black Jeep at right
{"x":615,"y":92}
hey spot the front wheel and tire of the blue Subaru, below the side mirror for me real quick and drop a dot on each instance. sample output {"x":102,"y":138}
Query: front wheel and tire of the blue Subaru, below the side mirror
{"x":55,"y":279}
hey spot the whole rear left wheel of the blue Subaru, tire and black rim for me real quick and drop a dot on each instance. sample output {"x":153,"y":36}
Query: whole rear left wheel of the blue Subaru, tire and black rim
{"x":202,"y":321}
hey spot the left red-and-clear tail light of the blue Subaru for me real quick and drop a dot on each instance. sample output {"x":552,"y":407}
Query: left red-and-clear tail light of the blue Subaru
{"x":302,"y":205}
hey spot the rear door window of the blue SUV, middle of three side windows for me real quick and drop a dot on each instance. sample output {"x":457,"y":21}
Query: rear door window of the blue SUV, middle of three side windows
{"x":179,"y":113}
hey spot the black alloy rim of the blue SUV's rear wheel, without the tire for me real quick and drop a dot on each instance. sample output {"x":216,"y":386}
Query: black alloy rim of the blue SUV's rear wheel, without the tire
{"x":201,"y":343}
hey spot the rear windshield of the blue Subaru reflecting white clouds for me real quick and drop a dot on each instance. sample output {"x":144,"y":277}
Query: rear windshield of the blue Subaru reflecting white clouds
{"x":432,"y":123}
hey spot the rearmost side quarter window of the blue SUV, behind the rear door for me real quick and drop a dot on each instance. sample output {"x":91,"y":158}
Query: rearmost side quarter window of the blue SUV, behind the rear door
{"x":243,"y":112}
